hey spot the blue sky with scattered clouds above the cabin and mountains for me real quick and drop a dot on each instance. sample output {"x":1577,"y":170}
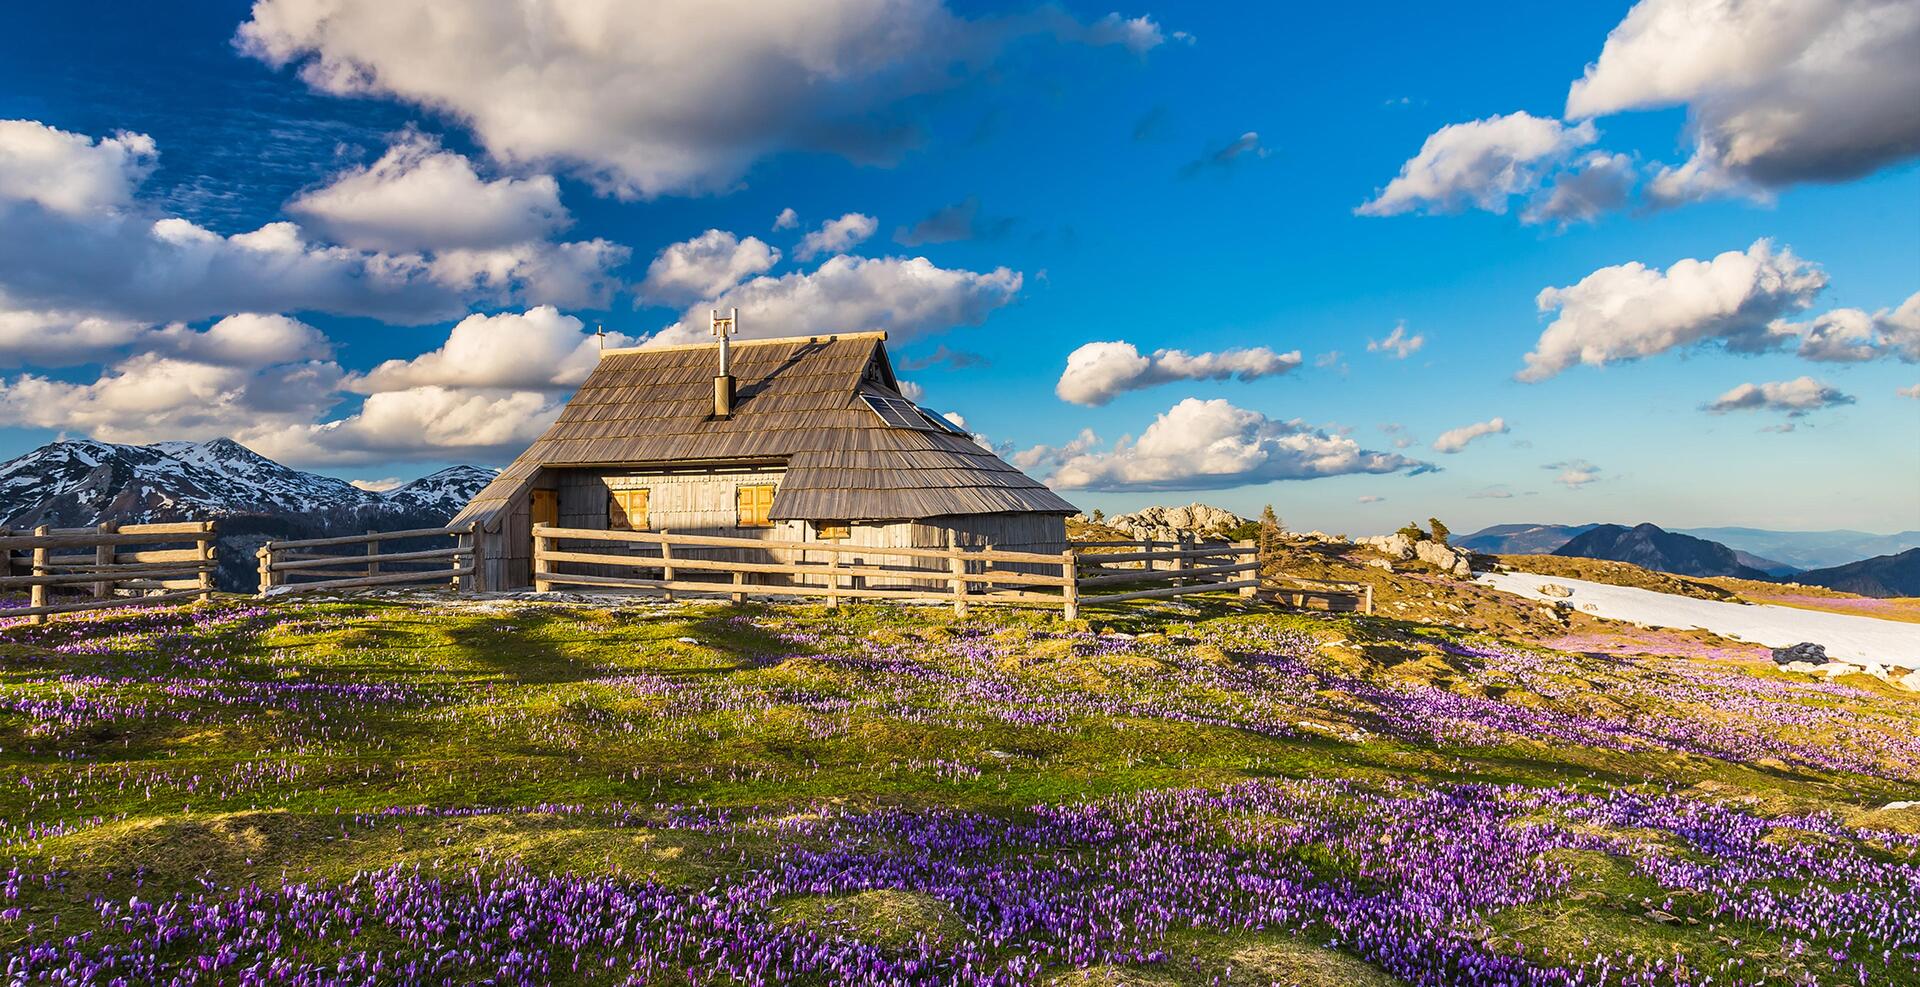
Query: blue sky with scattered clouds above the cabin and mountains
{"x":1172,"y":180}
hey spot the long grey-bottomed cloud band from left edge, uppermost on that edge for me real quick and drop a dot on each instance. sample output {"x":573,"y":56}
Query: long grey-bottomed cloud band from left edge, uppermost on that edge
{"x":103,"y":258}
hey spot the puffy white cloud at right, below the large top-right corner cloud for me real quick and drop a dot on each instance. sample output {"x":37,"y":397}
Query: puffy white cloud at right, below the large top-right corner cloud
{"x":1631,"y":310}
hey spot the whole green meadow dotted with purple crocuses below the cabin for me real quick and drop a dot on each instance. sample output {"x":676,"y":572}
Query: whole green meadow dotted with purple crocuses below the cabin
{"x":508,"y":792}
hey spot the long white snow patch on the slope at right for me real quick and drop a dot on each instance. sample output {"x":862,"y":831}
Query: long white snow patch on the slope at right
{"x":1867,"y":638}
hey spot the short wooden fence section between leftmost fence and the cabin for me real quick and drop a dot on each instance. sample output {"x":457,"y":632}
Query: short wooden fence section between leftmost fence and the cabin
{"x":295,"y":567}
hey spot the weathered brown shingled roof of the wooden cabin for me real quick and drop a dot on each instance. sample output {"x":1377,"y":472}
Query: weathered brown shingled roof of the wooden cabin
{"x":800,"y":402}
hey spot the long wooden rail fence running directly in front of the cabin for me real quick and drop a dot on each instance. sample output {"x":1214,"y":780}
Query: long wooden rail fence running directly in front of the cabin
{"x":694,"y":566}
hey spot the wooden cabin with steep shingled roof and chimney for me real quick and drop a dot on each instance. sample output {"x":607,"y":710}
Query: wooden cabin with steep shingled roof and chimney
{"x":784,"y":441}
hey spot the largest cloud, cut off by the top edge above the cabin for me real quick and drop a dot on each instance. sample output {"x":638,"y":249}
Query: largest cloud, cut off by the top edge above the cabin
{"x":661,"y":97}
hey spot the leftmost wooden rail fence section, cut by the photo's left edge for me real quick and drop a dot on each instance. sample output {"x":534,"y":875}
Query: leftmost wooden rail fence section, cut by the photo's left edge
{"x":105,"y":562}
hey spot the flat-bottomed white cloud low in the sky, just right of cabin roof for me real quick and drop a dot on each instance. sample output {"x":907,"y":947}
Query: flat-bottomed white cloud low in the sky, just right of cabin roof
{"x":1214,"y":445}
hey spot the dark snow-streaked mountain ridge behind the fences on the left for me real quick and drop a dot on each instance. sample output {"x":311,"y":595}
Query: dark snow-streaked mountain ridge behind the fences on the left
{"x":84,"y":483}
